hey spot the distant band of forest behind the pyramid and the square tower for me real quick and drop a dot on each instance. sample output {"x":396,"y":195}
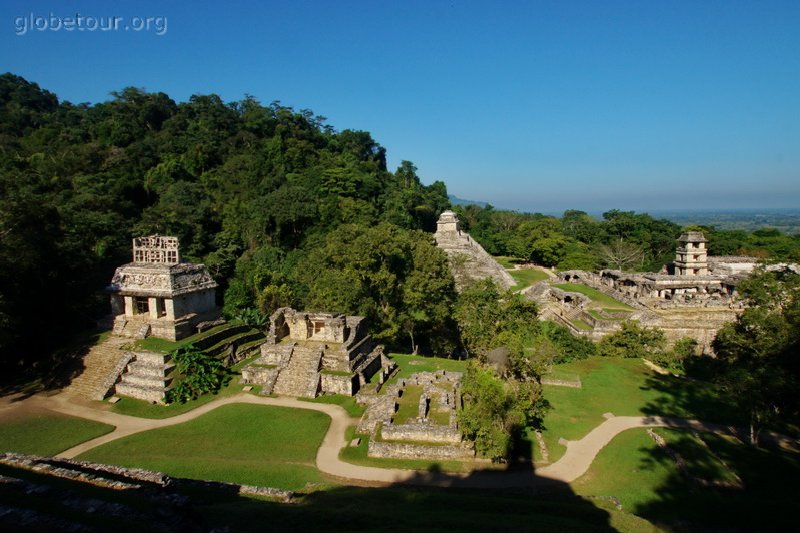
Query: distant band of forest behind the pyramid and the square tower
{"x":621,"y":239}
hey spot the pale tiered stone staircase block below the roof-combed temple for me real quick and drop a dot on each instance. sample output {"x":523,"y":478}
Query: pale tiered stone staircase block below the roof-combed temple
{"x":146,"y":377}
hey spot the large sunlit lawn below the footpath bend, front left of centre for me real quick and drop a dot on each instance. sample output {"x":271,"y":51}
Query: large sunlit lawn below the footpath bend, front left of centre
{"x":249,"y":444}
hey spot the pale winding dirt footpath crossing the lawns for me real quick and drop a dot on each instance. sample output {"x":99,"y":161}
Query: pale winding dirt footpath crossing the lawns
{"x":575,"y":462}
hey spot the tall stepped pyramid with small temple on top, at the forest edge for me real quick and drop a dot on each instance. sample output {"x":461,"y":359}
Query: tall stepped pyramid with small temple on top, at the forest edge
{"x":468,"y":260}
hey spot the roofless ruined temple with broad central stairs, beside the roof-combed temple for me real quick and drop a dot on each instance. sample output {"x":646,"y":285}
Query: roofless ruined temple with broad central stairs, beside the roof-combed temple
{"x":307,"y":354}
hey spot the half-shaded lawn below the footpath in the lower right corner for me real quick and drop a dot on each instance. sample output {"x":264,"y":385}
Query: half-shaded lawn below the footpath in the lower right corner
{"x":649,"y":484}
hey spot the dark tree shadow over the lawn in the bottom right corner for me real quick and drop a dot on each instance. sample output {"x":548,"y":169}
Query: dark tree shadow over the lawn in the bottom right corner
{"x":718,"y":482}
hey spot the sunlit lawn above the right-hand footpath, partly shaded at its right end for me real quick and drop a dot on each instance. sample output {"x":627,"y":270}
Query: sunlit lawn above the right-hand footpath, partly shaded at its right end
{"x":624,"y":387}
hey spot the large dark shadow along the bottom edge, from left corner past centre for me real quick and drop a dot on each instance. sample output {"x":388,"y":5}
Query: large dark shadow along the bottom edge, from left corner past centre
{"x":183,"y":505}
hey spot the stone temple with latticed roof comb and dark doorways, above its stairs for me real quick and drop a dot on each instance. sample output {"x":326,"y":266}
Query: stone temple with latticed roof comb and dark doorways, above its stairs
{"x":158,"y":295}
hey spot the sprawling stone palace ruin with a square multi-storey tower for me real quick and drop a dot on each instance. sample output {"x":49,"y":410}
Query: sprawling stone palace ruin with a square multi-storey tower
{"x":693,"y":297}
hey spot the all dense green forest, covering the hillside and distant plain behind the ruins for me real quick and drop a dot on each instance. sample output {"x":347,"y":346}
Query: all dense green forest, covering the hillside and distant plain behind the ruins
{"x":283,"y":209}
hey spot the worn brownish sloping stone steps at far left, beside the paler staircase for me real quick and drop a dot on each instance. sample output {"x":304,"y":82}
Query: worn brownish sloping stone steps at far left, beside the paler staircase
{"x":103,"y":361}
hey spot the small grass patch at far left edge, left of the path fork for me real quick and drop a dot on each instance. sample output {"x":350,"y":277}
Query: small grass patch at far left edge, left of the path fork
{"x":46,"y":433}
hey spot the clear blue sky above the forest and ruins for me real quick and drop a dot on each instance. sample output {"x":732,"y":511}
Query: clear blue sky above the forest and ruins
{"x":530,"y":105}
